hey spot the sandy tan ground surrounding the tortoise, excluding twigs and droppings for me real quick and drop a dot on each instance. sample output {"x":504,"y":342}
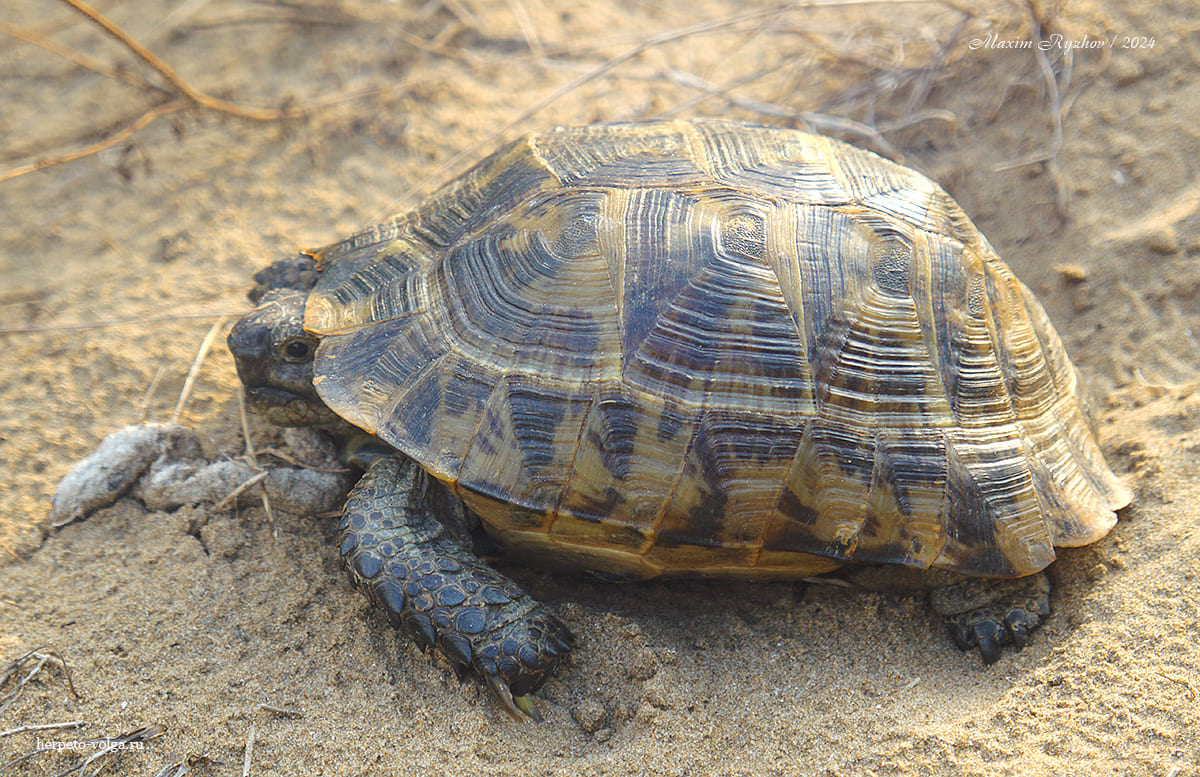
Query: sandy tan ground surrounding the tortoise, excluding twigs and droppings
{"x":117,"y":266}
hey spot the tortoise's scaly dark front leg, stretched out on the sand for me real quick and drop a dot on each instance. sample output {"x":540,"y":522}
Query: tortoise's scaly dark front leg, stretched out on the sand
{"x":398,"y":549}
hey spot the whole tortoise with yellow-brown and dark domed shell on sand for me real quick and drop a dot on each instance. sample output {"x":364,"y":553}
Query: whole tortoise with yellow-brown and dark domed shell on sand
{"x":686,"y":348}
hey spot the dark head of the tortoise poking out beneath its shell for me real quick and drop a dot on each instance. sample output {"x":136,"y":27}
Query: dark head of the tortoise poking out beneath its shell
{"x":275,"y":362}
